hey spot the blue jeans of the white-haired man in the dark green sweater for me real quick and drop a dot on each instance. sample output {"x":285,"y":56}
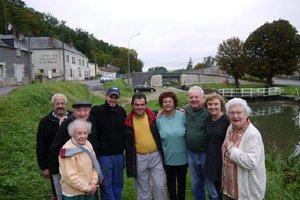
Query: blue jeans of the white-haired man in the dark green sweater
{"x":196,"y":163}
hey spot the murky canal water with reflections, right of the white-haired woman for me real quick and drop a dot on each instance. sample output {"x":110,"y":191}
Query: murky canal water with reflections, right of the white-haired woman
{"x":278,"y":123}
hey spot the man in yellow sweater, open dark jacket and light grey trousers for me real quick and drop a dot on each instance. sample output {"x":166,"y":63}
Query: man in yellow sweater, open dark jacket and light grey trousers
{"x":143,"y":147}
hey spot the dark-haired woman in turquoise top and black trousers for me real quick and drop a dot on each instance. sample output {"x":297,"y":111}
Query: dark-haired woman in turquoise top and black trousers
{"x":171,"y":126}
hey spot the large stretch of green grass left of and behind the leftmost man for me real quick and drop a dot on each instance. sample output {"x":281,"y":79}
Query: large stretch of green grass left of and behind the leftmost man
{"x":21,"y":112}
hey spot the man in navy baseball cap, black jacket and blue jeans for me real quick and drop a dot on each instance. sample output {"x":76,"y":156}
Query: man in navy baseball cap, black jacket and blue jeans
{"x":110,"y":119}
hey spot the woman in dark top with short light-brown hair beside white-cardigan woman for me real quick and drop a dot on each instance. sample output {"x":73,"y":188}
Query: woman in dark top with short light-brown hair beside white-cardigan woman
{"x":215,"y":127}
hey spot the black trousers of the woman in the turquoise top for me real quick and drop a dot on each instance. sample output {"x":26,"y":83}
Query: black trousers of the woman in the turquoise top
{"x":176,"y":174}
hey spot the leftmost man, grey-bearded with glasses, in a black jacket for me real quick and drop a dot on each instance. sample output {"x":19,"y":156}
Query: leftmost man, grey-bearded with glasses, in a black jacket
{"x":46,"y":132}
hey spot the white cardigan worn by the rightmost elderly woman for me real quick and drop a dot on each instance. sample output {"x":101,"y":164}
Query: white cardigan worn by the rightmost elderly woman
{"x":250,"y":160}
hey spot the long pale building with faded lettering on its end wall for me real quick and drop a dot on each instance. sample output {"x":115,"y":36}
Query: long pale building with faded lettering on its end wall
{"x":54,"y":60}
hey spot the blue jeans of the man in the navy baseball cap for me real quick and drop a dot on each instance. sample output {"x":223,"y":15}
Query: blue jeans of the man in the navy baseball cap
{"x":112,"y":169}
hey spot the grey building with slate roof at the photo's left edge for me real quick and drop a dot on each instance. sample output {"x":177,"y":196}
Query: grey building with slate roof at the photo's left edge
{"x":14,"y":61}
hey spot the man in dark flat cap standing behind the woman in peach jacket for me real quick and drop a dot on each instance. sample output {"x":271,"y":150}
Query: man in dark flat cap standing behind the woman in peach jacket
{"x":81,"y":111}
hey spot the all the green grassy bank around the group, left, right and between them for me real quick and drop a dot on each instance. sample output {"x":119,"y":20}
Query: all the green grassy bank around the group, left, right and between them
{"x":21,"y":112}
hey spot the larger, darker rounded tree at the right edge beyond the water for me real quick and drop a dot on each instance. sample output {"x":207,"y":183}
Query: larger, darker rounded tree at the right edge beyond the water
{"x":272,"y":49}
